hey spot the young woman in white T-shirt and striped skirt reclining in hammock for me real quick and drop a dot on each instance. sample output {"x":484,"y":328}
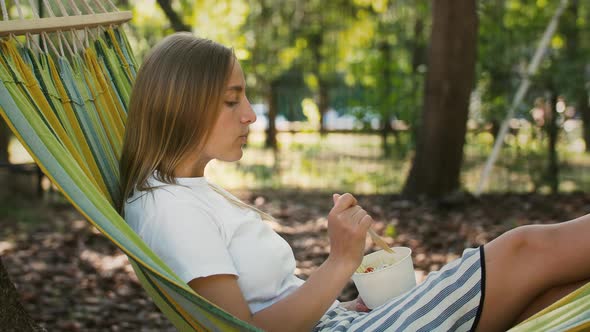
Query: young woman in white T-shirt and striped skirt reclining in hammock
{"x":188,"y":107}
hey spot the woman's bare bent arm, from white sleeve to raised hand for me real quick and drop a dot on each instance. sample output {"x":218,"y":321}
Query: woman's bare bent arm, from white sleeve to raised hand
{"x":302,"y":309}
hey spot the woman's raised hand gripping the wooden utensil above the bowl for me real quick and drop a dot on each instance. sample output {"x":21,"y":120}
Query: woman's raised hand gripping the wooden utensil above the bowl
{"x":347,"y":229}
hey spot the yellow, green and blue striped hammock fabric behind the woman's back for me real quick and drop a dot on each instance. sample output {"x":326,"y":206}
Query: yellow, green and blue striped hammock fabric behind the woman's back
{"x":69,"y":113}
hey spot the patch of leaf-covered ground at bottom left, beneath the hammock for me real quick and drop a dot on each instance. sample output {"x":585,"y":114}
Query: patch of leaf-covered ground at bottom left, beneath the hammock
{"x":71,"y":278}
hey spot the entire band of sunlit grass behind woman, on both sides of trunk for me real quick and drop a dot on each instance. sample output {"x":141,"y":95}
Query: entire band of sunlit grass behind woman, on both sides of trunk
{"x":356,"y":163}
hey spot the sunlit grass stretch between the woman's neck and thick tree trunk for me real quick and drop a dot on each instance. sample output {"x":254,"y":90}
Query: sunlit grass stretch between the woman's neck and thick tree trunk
{"x":308,"y":161}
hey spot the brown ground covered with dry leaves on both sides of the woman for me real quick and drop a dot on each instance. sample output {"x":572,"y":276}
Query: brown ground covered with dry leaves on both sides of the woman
{"x":71,"y":278}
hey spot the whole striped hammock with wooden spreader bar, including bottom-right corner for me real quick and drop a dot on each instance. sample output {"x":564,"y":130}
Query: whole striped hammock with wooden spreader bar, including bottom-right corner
{"x":65,"y":98}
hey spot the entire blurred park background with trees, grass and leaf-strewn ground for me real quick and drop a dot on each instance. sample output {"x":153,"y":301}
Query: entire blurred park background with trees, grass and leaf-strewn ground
{"x":362,"y":96}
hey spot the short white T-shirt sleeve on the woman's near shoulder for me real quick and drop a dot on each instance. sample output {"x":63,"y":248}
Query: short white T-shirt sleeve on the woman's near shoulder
{"x":190,"y":242}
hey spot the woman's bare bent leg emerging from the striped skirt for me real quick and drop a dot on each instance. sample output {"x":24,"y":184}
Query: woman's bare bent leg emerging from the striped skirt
{"x":526,"y":262}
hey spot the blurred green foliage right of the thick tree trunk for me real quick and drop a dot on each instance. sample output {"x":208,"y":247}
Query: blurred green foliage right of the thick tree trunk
{"x":508,"y":37}
